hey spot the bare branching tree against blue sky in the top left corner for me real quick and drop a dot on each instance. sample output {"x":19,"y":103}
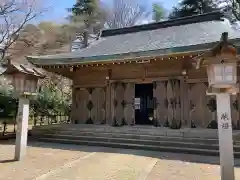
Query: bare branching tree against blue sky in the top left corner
{"x":14,"y":15}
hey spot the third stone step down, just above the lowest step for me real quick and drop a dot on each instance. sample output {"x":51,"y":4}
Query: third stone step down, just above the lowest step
{"x":166,"y":143}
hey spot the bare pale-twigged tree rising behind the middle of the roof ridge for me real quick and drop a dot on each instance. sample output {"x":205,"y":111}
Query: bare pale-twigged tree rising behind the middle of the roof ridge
{"x":125,"y":13}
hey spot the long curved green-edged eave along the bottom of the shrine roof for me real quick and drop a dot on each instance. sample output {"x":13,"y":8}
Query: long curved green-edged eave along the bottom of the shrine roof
{"x":72,"y":60}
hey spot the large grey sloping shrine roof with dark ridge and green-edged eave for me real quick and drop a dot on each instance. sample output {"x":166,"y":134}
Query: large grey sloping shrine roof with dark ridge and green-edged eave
{"x":180,"y":35}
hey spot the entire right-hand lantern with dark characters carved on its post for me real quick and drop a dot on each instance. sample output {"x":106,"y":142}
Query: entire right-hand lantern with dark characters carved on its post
{"x":221,"y":66}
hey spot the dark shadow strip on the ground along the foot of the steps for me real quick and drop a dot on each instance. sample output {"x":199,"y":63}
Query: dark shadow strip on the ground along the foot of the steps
{"x":154,"y":154}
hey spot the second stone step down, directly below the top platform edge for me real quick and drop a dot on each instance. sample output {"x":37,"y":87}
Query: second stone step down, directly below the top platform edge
{"x":138,"y":136}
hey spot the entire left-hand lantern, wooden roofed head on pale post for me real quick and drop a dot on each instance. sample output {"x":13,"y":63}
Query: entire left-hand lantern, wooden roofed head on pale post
{"x":24,"y":79}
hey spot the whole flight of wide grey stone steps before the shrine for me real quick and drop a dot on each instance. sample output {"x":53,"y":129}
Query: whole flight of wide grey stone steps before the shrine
{"x":191,"y":141}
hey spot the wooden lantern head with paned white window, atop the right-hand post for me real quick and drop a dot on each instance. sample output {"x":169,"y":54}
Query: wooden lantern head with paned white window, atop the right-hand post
{"x":221,"y":64}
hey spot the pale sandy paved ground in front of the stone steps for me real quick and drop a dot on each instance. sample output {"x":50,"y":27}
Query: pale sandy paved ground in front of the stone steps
{"x":47,"y":161}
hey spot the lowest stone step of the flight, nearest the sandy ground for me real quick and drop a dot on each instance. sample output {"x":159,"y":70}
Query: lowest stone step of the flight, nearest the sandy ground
{"x":138,"y":146}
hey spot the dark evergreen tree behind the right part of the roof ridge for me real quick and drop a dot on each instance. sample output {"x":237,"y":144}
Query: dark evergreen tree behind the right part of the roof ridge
{"x":193,"y":7}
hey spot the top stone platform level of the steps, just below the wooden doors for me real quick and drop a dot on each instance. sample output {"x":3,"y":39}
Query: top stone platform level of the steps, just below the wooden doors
{"x":138,"y":129}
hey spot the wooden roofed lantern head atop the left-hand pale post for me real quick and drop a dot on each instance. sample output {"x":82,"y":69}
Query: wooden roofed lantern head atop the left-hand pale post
{"x":24,"y":78}
